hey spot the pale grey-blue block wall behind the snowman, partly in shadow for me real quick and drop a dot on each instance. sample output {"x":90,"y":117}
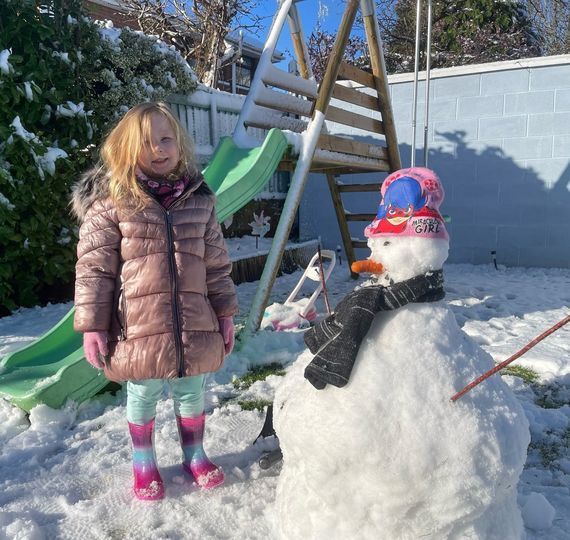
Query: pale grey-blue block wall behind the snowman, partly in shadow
{"x":499,"y":137}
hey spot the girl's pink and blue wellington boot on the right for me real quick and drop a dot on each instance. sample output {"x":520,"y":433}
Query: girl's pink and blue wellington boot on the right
{"x":191,"y":431}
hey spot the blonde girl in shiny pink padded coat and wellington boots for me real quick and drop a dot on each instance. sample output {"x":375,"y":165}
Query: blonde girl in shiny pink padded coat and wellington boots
{"x":153,"y":294}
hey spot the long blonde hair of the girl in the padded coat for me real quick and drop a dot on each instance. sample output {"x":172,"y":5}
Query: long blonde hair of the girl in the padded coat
{"x":121,"y":150}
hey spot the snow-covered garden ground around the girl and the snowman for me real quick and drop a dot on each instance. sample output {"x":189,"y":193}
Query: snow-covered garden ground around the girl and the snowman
{"x":67,"y":474}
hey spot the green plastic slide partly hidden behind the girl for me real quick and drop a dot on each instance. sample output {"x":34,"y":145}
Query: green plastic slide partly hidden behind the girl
{"x":53,"y":369}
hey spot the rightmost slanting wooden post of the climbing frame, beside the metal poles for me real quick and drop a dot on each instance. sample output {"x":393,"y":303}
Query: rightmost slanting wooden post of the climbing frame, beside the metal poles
{"x":381,"y":81}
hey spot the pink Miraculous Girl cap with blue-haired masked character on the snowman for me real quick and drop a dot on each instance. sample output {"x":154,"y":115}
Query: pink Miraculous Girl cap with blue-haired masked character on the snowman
{"x":409,"y":206}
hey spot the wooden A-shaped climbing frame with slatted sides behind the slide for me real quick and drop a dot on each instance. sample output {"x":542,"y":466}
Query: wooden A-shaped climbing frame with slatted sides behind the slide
{"x":310,"y":153}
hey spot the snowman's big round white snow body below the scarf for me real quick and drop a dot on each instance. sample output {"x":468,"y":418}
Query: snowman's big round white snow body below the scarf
{"x":389,"y":456}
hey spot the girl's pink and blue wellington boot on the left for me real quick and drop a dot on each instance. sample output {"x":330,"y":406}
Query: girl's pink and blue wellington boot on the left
{"x":148,"y":484}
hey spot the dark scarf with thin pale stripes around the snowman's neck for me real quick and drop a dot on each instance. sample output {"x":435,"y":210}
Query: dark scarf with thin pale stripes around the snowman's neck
{"x":335,"y":340}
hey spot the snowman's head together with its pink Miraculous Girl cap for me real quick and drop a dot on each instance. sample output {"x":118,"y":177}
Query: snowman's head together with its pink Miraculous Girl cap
{"x":408,"y":235}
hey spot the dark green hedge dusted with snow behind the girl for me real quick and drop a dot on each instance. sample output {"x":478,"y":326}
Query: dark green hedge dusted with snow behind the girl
{"x":63,"y":81}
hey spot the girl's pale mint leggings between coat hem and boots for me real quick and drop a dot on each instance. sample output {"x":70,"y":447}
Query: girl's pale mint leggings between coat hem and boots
{"x":142,"y":396}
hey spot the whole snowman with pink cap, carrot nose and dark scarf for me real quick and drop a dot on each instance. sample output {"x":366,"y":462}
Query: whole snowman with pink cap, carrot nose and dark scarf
{"x":373,"y":447}
